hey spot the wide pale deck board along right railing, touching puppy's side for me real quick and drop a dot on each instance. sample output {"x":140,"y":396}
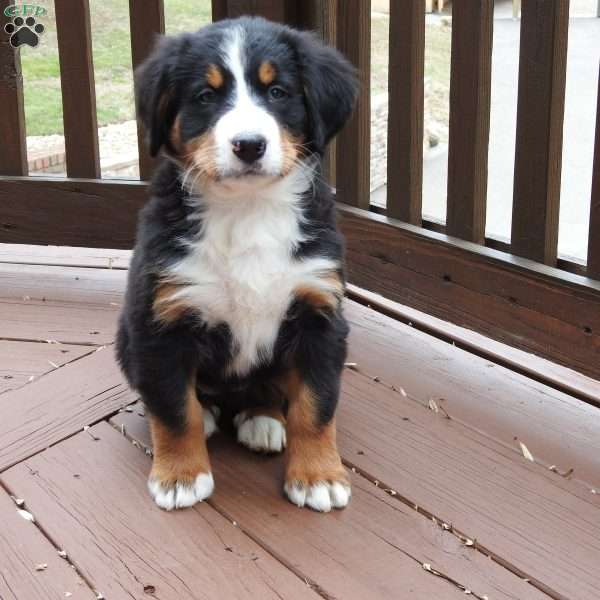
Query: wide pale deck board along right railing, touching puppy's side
{"x":557,"y":428}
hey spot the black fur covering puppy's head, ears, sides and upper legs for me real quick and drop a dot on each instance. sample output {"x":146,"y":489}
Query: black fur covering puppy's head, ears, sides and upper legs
{"x":157,"y":359}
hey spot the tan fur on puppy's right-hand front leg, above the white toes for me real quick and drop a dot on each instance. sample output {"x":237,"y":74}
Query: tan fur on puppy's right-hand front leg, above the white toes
{"x":312,"y":454}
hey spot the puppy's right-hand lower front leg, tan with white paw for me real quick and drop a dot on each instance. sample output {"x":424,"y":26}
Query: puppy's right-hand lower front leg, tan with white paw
{"x":315,"y":476}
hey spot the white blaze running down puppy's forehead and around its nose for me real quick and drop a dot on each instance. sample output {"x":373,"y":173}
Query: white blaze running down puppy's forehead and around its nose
{"x":245,"y":117}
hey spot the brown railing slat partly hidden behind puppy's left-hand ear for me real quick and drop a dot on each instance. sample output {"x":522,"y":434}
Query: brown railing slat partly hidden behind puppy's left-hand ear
{"x":146,"y":21}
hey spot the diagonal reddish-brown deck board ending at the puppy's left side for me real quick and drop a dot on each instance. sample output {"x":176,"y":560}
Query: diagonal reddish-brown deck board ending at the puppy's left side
{"x":59,"y":404}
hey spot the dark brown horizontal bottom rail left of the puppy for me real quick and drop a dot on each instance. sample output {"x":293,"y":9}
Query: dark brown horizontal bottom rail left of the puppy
{"x":86,"y":212}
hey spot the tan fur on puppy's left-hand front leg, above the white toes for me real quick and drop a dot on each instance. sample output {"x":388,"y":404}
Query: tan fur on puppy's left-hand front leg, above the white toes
{"x":180,"y":457}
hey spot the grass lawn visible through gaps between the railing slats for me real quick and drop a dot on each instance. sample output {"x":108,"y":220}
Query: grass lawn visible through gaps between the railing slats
{"x":112,"y":62}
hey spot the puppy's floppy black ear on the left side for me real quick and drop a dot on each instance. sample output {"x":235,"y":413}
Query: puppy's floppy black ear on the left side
{"x":157,"y":100}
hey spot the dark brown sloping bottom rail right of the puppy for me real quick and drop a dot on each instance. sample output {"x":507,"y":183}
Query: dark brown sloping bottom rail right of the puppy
{"x":536,"y":308}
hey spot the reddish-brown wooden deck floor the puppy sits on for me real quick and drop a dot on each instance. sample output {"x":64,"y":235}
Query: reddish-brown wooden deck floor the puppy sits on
{"x":445,"y":503}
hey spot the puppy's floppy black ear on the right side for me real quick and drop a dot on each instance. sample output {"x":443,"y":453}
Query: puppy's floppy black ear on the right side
{"x":330,"y":88}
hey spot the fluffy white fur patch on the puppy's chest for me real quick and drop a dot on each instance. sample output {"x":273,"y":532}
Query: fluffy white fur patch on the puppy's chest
{"x":241,"y":271}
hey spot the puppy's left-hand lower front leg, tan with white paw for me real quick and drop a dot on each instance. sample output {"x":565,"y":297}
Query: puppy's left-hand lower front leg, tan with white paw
{"x":181,"y":474}
